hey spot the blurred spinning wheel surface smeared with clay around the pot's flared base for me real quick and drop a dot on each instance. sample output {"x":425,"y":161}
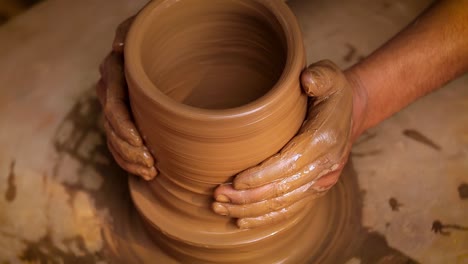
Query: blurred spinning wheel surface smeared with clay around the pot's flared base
{"x":324,"y":234}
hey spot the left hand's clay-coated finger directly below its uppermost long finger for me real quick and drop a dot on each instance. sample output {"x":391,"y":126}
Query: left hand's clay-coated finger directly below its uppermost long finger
{"x":137,"y":155}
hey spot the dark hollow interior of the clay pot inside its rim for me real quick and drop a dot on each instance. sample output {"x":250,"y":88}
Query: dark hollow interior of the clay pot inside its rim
{"x":214,"y":57}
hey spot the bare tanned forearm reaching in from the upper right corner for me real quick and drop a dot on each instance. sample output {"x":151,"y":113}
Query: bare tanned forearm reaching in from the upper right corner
{"x":427,"y":54}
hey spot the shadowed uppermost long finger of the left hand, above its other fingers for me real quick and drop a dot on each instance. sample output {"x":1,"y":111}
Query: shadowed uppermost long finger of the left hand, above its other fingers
{"x":116,"y":109}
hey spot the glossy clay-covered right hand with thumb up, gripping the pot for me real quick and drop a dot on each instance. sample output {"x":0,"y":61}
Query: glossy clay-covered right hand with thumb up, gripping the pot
{"x":307,"y":166}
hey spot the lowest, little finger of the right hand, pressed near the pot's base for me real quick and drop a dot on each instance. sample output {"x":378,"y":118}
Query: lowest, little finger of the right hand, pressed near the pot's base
{"x":273,"y":217}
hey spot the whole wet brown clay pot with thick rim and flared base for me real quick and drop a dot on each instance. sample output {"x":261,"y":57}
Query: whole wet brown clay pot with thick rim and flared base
{"x":214,"y":89}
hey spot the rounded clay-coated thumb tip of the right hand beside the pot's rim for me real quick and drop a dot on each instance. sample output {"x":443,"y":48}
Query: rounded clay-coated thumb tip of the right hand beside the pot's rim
{"x":322,"y":79}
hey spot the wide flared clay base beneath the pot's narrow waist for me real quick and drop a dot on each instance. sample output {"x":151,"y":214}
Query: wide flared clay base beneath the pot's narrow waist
{"x":190,"y":238}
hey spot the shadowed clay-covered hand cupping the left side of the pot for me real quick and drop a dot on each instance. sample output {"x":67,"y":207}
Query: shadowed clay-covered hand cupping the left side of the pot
{"x":123,"y":139}
